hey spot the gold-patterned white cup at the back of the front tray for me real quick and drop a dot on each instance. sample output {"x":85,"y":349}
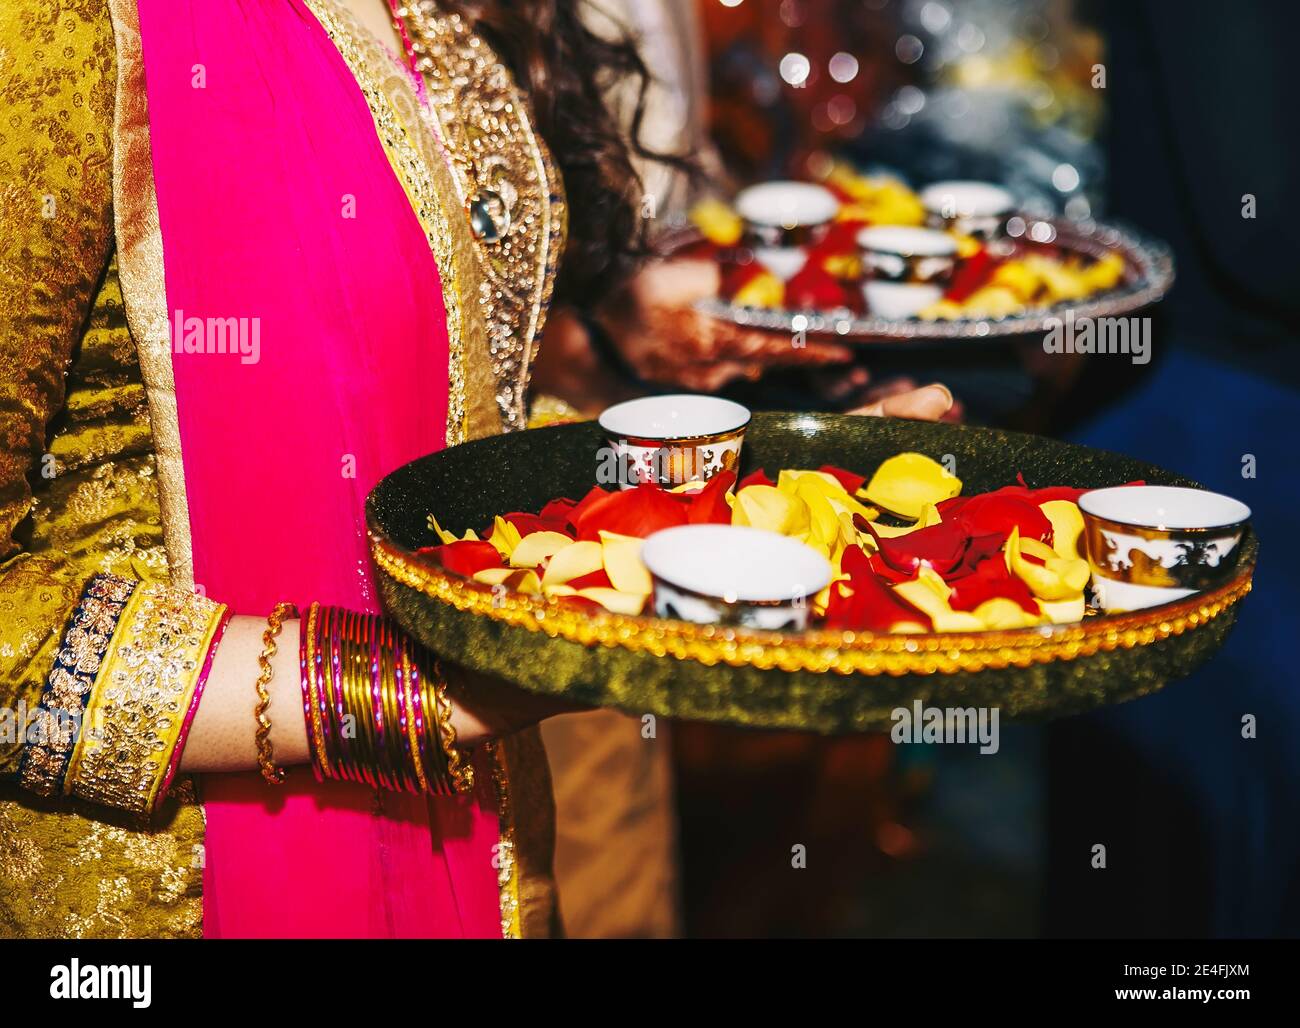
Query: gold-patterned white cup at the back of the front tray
{"x":670,"y":441}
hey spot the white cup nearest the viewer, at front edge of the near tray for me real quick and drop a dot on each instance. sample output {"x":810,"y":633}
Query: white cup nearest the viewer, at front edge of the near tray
{"x":734,"y":575}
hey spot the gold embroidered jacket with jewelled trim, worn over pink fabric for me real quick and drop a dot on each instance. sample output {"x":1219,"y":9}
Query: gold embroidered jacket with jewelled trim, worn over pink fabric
{"x":92,"y":478}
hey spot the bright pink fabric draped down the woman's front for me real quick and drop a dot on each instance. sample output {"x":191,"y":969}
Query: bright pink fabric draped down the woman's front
{"x":279,"y":206}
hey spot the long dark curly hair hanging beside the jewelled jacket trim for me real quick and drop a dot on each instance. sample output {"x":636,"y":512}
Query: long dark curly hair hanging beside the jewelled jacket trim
{"x":569,"y":72}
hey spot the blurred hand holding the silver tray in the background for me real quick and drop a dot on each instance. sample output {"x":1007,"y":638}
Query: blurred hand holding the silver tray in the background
{"x":660,"y":335}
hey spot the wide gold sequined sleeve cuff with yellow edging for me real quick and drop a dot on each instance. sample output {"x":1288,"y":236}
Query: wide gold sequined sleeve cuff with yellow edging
{"x":144,"y":699}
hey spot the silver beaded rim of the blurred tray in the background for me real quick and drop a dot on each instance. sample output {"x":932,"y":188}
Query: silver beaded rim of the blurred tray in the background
{"x":1149,"y":275}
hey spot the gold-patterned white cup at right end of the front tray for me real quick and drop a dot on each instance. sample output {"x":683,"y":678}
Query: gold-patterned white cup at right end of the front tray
{"x":1151,"y":545}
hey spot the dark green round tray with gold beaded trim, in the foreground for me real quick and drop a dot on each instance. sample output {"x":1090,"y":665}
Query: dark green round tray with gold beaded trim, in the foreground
{"x":818,"y":680}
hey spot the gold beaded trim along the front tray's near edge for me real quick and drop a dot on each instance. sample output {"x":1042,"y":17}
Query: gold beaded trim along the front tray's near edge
{"x":843,"y":653}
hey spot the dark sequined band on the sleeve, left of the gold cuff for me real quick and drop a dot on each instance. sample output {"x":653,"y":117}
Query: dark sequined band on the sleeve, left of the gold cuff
{"x":57,"y":722}
